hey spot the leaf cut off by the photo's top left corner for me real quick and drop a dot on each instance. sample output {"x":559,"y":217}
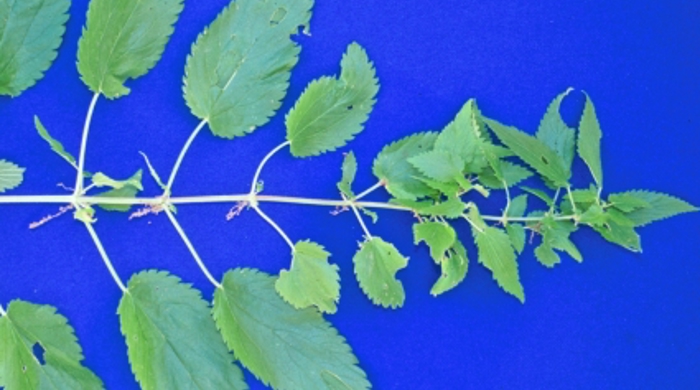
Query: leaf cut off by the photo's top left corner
{"x":30,"y":33}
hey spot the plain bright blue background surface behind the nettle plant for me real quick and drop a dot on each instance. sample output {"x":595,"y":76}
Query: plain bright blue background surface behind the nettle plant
{"x":619,"y":320}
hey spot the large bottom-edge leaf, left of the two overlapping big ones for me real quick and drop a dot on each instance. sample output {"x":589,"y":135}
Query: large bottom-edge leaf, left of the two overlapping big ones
{"x":172,"y":340}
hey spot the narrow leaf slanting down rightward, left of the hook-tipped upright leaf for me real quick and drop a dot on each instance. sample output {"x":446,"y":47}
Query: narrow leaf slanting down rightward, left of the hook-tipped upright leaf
{"x":534,"y":152}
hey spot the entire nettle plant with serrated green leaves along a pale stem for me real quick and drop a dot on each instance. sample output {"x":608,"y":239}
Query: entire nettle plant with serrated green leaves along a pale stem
{"x":235,"y":79}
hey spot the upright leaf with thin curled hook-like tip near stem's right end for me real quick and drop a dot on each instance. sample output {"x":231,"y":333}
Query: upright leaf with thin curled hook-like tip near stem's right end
{"x":554,"y":132}
